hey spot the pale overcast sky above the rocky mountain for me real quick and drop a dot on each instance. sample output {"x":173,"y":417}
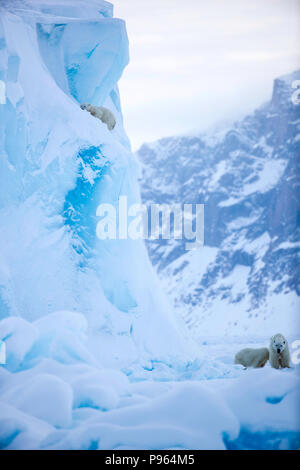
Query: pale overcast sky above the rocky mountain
{"x":197,"y":62}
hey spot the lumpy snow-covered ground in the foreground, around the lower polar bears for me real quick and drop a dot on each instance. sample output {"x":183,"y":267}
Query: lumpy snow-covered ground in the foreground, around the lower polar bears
{"x":56,"y":396}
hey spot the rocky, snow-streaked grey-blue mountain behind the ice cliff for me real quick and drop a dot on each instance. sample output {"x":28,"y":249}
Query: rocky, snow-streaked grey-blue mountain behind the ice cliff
{"x":246,"y":277}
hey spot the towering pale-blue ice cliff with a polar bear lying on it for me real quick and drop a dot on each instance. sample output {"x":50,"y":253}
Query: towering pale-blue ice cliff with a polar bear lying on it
{"x":57,"y":165}
